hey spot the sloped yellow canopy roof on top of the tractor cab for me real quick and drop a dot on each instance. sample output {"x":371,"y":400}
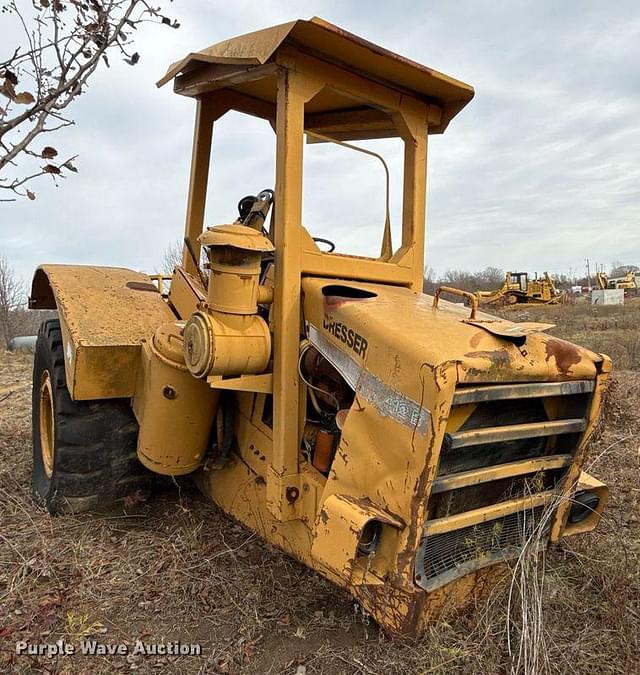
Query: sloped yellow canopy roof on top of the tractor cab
{"x":331,"y":43}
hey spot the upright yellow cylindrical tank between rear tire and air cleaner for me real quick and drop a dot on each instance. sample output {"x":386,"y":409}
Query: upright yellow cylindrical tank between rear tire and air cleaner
{"x":175,"y":412}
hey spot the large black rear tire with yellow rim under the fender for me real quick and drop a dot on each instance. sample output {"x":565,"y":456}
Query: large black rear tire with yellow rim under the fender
{"x":84,"y":452}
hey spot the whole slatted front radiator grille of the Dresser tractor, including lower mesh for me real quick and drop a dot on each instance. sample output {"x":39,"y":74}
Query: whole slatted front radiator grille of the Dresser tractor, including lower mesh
{"x":507,"y":442}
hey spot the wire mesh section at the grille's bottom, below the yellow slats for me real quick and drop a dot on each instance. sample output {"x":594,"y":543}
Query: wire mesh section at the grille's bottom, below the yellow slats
{"x":447,"y":556}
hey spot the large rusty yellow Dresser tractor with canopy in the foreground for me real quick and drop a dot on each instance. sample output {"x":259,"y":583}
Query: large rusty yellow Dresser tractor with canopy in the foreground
{"x":402,"y":446}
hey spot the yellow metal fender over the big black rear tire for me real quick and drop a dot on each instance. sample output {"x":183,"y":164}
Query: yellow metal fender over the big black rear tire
{"x":105,"y":314}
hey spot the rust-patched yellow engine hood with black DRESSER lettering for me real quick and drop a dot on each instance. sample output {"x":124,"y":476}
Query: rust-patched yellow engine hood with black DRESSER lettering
{"x":402,"y":332}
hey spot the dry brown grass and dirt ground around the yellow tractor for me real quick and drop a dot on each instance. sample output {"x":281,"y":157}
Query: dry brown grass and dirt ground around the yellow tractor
{"x":175,"y":568}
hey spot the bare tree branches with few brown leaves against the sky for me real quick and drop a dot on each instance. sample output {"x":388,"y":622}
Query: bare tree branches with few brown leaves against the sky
{"x":63,"y":44}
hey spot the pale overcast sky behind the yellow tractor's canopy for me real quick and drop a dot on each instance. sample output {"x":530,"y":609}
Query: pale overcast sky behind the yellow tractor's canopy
{"x":538,"y":172}
